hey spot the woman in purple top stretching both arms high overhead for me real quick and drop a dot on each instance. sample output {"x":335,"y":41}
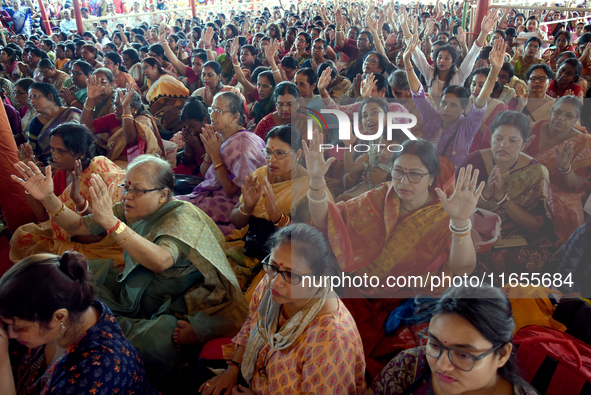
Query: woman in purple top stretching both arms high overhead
{"x":447,"y":127}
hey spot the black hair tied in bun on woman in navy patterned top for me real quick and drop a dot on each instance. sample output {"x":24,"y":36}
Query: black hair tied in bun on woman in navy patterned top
{"x":60,"y":282}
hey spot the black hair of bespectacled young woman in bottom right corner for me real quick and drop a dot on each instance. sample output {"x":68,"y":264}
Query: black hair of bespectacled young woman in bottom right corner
{"x":489,"y":310}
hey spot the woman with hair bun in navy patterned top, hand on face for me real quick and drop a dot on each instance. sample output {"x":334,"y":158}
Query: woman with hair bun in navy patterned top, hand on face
{"x":73,"y":341}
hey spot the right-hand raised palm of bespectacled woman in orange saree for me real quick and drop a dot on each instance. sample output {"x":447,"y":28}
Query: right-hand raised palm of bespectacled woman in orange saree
{"x":460,"y":206}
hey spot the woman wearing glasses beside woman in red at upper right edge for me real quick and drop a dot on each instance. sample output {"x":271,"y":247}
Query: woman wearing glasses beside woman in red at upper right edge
{"x":535,"y":103}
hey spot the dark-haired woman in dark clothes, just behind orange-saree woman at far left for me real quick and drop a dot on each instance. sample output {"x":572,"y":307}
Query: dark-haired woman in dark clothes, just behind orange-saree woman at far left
{"x":45,"y":99}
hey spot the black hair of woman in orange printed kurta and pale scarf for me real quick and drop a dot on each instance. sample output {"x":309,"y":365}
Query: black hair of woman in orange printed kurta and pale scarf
{"x":311,"y":245}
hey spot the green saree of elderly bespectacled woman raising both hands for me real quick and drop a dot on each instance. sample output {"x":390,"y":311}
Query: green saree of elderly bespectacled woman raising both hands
{"x":200,"y":286}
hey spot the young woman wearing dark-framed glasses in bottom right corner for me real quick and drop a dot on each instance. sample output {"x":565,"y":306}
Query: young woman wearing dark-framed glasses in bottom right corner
{"x":467,"y":349}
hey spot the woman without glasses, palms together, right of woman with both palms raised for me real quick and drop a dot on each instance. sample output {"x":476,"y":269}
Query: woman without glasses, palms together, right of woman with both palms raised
{"x":518,"y":191}
